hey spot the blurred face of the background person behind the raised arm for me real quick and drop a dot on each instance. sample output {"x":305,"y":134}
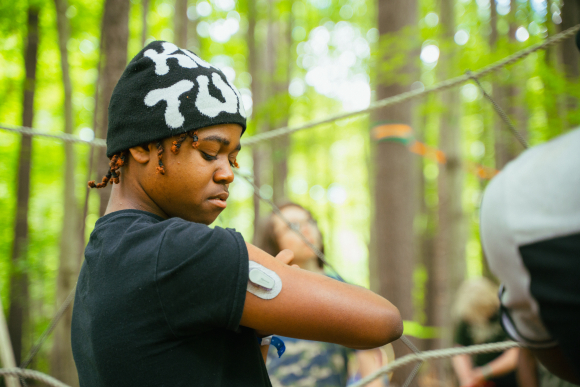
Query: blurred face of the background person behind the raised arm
{"x":289,"y":239}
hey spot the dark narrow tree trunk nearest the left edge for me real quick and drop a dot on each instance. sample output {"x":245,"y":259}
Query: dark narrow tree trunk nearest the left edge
{"x":18,"y":313}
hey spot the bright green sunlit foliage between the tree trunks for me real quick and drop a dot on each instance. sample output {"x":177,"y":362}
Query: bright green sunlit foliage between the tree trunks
{"x":329,"y":166}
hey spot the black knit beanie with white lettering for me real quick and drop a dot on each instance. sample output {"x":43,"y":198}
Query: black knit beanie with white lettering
{"x":165,"y":91}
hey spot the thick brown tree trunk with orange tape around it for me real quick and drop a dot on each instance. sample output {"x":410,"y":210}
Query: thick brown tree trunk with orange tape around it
{"x":392,"y":256}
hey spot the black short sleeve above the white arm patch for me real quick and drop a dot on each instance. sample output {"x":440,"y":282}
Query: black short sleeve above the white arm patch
{"x":201,"y":277}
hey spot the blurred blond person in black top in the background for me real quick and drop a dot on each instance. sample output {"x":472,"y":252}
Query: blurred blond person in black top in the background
{"x":476,"y":311}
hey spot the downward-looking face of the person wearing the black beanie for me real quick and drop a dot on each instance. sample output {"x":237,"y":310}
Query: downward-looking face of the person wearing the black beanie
{"x":196,"y":180}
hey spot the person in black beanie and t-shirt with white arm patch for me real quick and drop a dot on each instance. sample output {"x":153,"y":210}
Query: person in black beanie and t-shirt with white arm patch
{"x":164,"y":300}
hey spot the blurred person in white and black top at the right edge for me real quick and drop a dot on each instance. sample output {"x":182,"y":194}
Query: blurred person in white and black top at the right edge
{"x":530,"y":232}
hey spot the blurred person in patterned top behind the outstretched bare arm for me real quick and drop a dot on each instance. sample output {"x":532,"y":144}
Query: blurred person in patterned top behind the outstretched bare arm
{"x":311,"y":363}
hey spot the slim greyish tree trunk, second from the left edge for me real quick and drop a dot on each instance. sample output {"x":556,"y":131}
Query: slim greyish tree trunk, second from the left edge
{"x":62,"y":362}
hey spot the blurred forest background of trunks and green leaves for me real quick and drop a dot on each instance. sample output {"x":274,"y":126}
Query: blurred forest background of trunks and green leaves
{"x":398,"y":209}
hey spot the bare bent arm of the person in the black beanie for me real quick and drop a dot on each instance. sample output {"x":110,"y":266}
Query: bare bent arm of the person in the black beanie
{"x":314,"y":307}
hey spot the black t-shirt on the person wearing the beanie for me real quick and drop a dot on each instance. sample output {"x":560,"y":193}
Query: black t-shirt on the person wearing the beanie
{"x":159,"y":302}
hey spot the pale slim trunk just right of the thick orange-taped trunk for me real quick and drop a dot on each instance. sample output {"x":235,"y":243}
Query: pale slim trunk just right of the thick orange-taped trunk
{"x":449,"y":257}
